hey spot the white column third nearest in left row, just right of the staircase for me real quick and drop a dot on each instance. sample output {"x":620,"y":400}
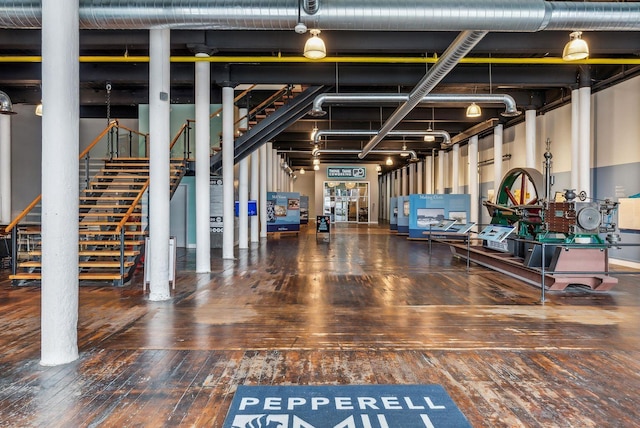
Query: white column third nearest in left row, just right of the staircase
{"x":203,"y":168}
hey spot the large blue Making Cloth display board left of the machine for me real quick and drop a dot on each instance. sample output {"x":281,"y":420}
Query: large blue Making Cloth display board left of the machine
{"x":429,"y":210}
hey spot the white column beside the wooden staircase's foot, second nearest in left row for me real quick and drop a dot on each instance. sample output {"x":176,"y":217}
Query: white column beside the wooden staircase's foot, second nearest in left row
{"x":159,"y":158}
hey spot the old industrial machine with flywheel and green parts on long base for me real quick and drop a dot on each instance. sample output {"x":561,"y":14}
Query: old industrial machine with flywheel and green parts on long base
{"x":568,"y":236}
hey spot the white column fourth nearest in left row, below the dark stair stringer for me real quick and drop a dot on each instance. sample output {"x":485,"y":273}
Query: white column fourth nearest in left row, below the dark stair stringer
{"x":227,"y":173}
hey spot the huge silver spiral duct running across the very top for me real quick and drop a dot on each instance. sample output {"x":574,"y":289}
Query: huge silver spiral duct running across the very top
{"x":375,"y":15}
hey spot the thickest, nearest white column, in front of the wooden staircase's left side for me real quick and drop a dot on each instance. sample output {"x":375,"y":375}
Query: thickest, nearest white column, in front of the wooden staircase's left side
{"x":60,"y":182}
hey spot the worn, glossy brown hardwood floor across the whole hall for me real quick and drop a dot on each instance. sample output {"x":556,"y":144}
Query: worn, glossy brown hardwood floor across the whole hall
{"x":368,"y":307}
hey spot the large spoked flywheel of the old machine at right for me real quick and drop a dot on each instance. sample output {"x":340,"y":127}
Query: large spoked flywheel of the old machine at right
{"x":517,"y":200}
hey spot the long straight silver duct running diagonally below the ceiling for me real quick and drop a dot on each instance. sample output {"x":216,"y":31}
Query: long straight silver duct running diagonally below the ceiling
{"x":462,"y":45}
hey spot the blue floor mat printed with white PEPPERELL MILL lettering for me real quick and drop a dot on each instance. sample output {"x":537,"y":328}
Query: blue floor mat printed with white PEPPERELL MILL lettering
{"x":344,"y":406}
